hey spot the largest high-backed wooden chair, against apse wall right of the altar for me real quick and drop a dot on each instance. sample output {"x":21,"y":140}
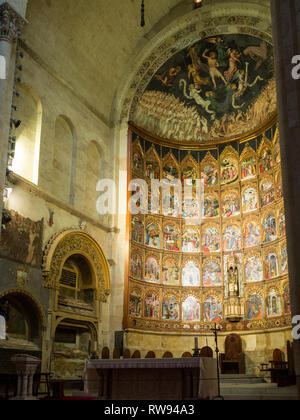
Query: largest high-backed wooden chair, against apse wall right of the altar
{"x":232,"y":361}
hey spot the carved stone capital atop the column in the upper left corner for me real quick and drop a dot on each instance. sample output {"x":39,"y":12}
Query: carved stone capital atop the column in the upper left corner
{"x":11,"y":23}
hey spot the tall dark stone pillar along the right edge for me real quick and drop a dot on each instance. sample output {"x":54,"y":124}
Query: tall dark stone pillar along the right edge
{"x":286,"y":33}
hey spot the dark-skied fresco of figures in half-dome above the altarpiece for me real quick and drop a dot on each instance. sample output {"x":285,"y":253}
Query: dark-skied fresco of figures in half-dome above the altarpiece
{"x":218,"y":88}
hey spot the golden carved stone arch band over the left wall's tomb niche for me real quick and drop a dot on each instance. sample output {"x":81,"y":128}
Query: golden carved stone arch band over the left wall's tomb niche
{"x":72,"y":242}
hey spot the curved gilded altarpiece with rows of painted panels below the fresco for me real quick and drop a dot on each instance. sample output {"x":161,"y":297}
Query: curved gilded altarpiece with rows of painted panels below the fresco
{"x":178,"y":274}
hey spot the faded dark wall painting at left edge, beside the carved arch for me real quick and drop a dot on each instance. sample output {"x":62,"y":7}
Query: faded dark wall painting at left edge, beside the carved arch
{"x":22,"y":240}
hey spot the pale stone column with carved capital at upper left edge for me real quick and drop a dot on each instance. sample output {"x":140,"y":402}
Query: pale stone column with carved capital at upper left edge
{"x":11,"y":24}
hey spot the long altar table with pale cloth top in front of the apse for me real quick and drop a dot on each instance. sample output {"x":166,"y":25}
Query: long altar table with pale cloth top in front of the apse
{"x":152,"y":379}
